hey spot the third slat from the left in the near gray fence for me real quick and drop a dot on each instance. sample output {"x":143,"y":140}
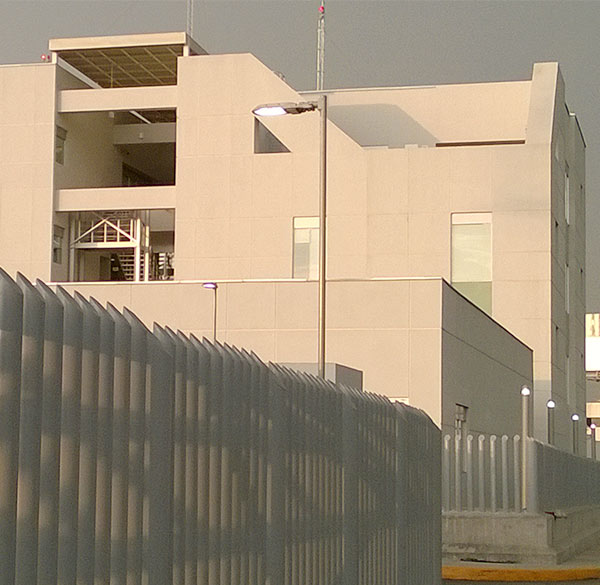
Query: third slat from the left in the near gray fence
{"x":50,"y":439}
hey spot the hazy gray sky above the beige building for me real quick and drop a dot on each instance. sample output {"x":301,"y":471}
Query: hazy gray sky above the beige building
{"x":369,"y":43}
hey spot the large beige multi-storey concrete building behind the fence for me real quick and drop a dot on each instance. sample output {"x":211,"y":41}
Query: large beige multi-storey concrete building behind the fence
{"x":137,"y":160}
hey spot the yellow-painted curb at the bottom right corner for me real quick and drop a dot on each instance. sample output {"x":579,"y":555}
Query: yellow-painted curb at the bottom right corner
{"x":457,"y":573}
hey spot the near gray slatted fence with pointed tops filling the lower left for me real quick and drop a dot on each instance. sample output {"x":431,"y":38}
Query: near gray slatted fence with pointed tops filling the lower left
{"x":131,"y":457}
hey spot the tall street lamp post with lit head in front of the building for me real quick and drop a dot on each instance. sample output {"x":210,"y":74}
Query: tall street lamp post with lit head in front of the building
{"x":282,"y":109}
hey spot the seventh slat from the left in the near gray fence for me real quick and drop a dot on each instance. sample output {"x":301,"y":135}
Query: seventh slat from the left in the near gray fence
{"x":120,"y":451}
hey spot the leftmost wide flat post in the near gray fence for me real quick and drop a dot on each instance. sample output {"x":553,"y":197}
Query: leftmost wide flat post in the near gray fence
{"x":158,"y":556}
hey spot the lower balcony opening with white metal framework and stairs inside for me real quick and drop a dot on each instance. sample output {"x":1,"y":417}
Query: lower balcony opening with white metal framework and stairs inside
{"x":136,"y":246}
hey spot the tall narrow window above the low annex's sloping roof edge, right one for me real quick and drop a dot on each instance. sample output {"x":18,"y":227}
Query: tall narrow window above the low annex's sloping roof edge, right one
{"x":472,"y":257}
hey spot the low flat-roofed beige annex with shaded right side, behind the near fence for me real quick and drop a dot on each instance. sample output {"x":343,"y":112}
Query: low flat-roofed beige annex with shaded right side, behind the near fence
{"x":416,"y":340}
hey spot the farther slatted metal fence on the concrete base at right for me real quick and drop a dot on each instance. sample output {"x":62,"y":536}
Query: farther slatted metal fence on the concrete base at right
{"x":483,"y":474}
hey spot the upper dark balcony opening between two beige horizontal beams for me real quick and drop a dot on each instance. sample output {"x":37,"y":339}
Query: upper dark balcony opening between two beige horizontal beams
{"x":116,"y":149}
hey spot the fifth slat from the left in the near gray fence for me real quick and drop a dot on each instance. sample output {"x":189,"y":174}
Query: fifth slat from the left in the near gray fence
{"x":86,"y":529}
